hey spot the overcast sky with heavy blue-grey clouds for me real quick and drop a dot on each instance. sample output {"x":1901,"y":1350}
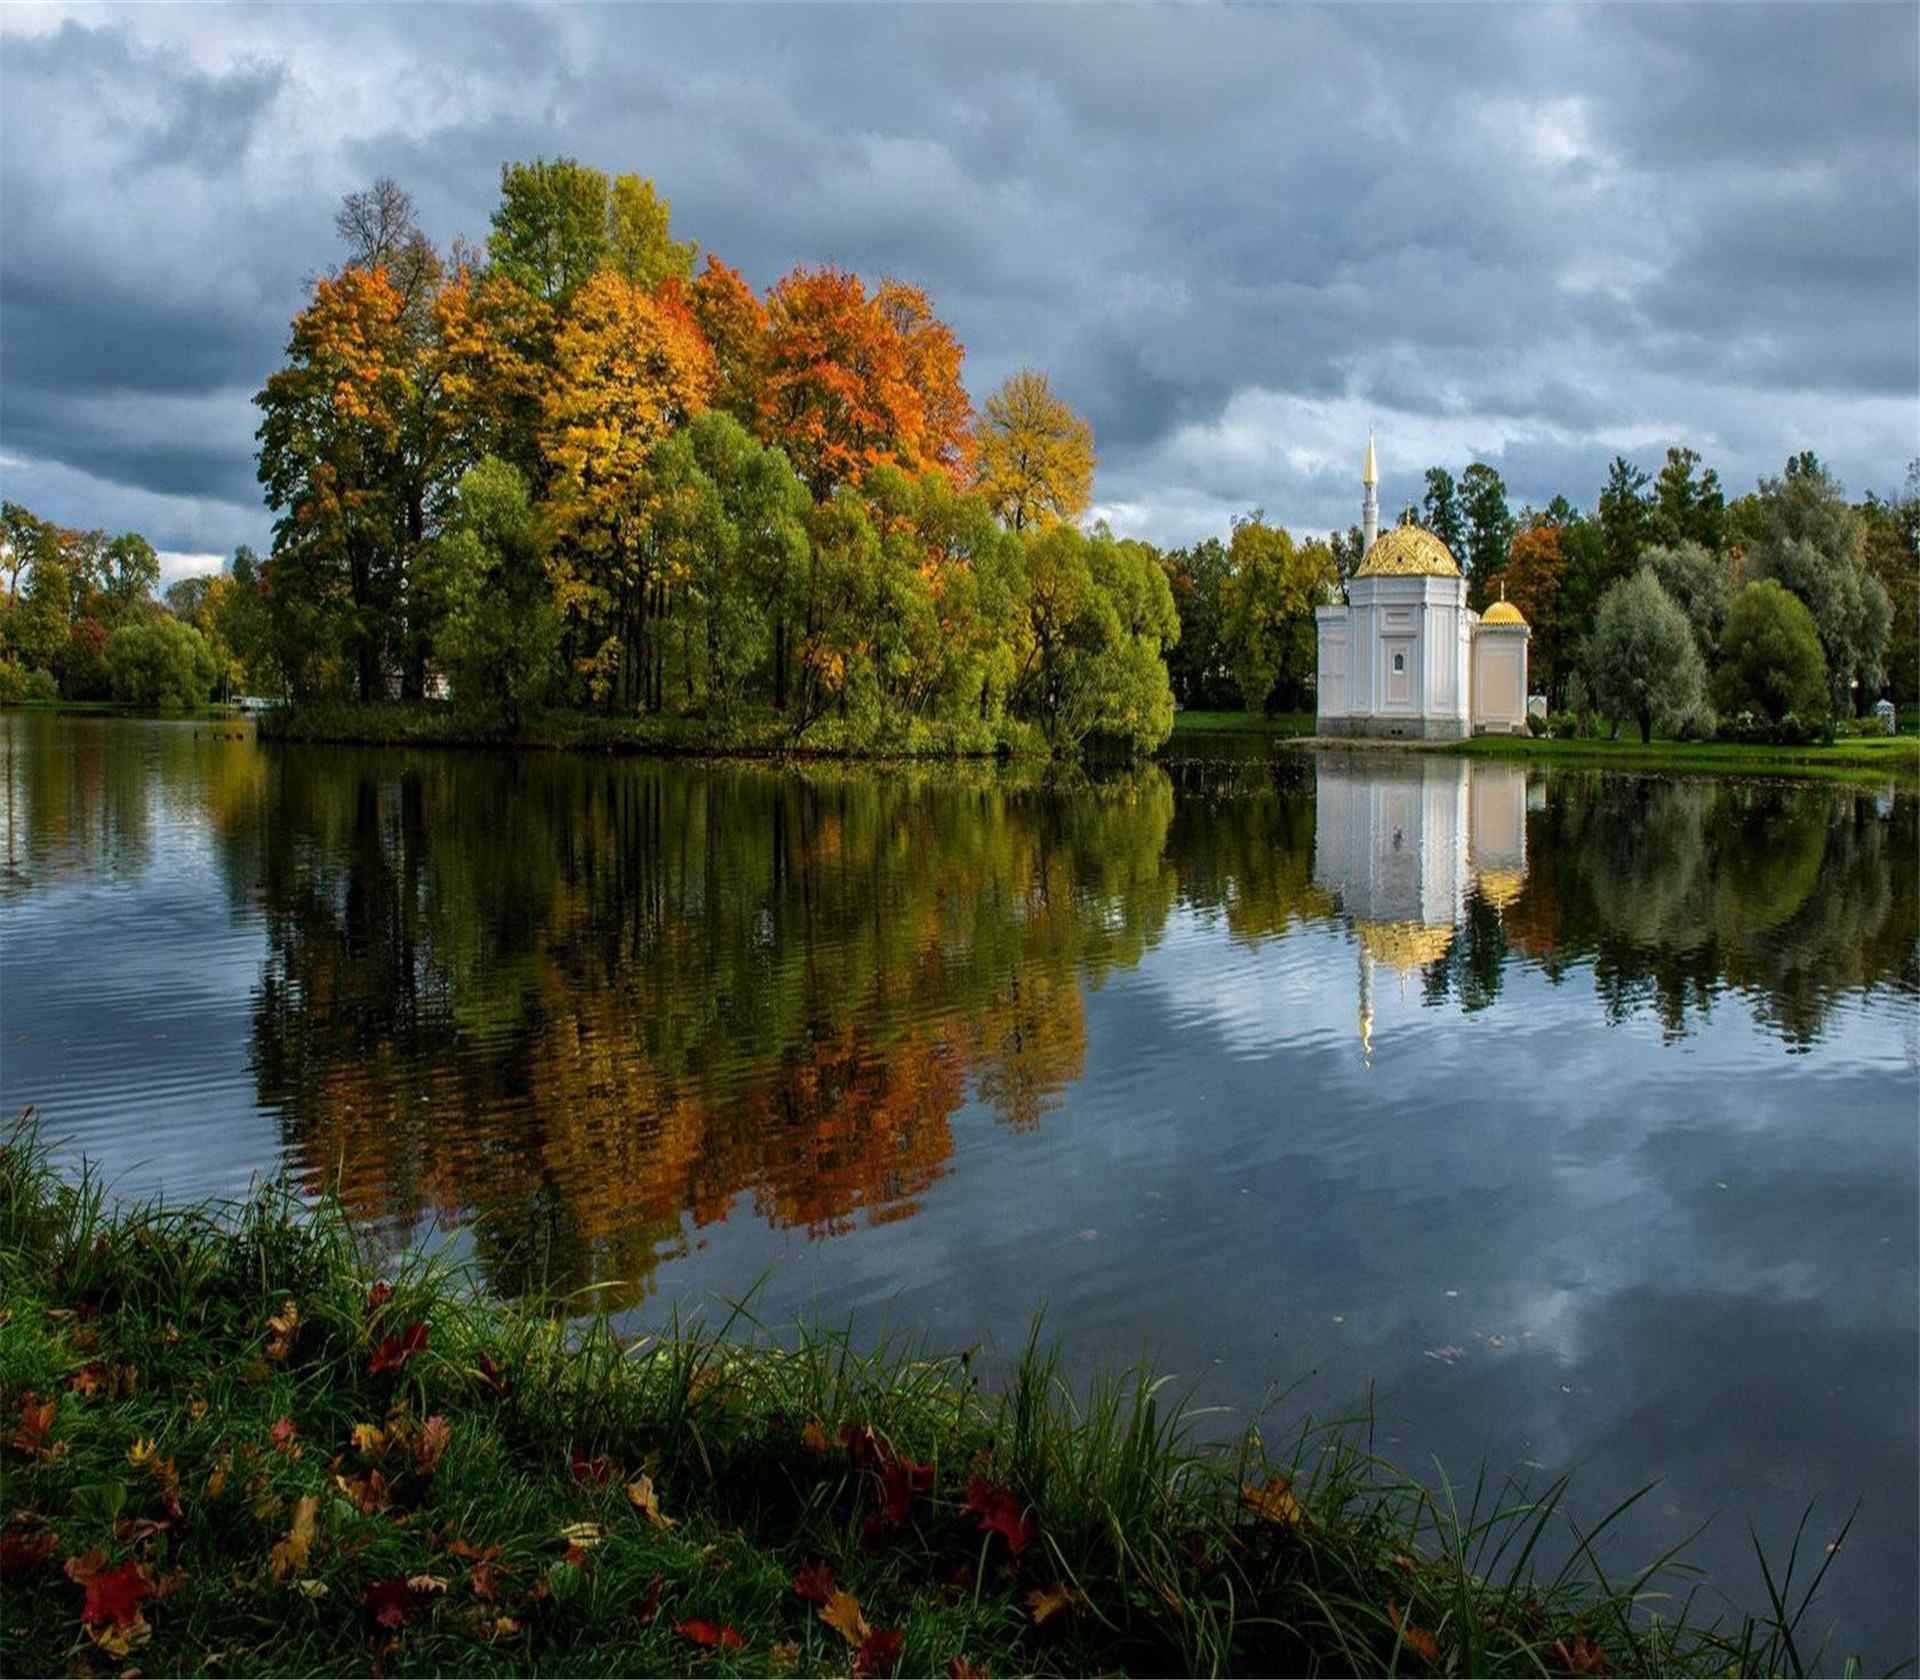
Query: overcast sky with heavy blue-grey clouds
{"x":1527,"y":235}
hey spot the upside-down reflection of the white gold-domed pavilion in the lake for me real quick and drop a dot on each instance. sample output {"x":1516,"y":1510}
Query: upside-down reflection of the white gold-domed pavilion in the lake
{"x":1401,"y":844}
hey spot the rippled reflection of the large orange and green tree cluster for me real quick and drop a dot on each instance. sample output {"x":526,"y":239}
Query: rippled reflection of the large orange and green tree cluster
{"x":590,"y":1001}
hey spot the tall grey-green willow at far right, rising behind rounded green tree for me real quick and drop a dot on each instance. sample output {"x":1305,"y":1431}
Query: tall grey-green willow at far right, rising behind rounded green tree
{"x":1817,"y":548}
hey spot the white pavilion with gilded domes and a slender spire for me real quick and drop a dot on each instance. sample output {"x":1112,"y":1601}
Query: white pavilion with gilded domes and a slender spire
{"x":1404,"y":656}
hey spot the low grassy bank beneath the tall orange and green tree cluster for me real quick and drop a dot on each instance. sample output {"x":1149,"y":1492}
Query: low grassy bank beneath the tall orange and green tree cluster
{"x":748,"y":734}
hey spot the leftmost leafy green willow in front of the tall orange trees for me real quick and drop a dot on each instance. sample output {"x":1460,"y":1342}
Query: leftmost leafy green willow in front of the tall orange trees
{"x":500,"y":636}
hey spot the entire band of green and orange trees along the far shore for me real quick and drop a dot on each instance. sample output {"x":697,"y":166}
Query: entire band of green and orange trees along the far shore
{"x":579,"y":468}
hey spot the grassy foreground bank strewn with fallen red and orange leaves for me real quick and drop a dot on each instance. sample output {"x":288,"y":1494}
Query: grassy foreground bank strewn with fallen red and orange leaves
{"x":176,"y":1383}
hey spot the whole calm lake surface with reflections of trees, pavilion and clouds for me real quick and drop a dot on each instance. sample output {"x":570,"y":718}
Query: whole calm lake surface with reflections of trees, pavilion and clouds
{"x":1575,"y":1116}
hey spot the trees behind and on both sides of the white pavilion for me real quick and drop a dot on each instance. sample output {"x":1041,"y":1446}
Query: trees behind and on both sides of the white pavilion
{"x":1648,"y":608}
